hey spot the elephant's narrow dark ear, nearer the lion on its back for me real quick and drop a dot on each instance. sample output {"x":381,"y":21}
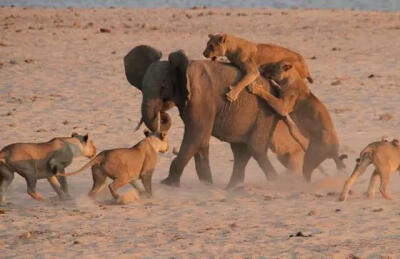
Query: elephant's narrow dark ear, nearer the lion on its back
{"x":179,"y":63}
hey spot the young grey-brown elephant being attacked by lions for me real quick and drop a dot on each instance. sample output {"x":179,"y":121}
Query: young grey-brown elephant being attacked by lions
{"x":197,"y":88}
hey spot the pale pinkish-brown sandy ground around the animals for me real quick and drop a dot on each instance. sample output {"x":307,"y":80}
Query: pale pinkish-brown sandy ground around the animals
{"x":59,"y":74}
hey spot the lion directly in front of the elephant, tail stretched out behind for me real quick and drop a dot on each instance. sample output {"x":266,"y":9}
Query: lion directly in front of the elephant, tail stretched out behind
{"x":126,"y":165}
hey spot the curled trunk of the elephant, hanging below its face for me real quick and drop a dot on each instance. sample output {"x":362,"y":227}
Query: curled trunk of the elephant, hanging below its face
{"x":154,"y":118}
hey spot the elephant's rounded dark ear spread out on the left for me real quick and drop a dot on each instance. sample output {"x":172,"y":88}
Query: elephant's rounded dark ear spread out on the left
{"x":137,"y":61}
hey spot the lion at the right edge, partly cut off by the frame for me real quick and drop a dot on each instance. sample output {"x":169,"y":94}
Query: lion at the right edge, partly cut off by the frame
{"x":385,"y":156}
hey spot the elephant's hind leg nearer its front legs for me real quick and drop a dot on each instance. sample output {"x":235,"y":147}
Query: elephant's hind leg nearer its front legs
{"x":241,"y":157}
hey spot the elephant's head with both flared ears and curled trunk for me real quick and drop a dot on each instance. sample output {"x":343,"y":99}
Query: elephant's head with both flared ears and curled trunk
{"x":163,"y":83}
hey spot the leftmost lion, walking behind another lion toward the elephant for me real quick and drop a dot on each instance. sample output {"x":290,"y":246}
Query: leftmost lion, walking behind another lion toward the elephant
{"x":35,"y":161}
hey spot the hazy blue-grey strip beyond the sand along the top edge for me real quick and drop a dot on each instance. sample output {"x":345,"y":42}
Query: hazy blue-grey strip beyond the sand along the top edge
{"x":388,"y":5}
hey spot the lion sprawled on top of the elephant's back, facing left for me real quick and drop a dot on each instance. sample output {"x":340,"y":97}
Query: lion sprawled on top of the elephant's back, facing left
{"x":248,"y":56}
